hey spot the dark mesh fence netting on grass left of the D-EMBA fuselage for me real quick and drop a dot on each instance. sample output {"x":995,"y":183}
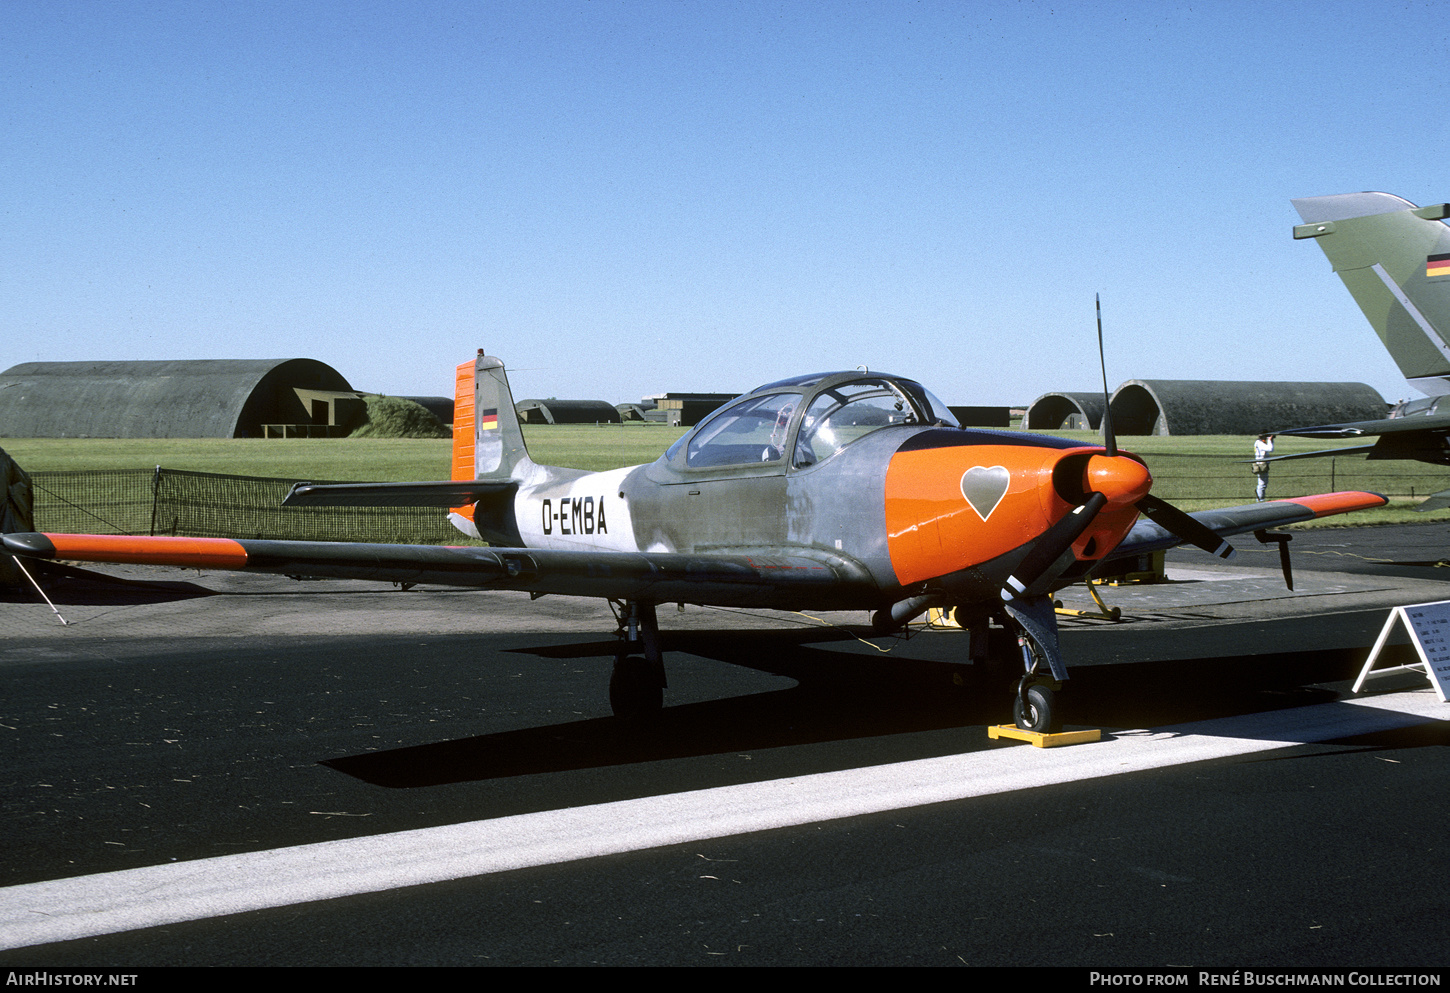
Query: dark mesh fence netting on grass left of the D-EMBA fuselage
{"x":212,"y":505}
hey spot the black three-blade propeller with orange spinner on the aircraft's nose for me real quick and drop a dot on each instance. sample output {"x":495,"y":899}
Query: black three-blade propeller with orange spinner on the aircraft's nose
{"x":1114,"y":479}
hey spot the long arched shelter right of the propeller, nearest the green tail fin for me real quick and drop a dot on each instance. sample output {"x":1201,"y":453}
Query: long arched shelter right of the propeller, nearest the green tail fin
{"x":1230,"y":408}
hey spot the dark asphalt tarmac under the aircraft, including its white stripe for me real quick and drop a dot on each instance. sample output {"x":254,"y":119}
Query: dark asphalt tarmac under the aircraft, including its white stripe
{"x":231,"y":770}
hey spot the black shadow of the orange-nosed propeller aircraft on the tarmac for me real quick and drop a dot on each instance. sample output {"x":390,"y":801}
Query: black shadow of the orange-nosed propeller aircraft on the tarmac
{"x":843,"y":697}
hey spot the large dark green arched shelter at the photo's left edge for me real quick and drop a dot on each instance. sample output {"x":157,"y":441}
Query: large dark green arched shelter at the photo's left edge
{"x":176,"y":399}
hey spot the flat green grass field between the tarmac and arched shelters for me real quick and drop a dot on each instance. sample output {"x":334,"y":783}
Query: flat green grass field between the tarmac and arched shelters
{"x":1193,"y":472}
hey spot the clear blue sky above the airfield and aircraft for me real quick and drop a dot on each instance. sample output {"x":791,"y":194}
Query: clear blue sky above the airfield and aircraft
{"x":630,"y":198}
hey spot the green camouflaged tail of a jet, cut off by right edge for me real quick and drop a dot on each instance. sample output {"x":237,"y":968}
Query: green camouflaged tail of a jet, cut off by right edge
{"x":1396,"y":262}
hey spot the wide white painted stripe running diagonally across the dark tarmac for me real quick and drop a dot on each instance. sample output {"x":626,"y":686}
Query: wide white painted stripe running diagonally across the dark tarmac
{"x":146,"y":898}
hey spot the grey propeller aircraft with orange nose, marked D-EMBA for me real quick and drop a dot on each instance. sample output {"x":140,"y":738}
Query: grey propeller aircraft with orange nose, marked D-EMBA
{"x":829,"y":492}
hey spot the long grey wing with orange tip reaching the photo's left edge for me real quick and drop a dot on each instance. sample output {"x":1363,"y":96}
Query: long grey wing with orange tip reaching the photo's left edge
{"x":801,"y":579}
